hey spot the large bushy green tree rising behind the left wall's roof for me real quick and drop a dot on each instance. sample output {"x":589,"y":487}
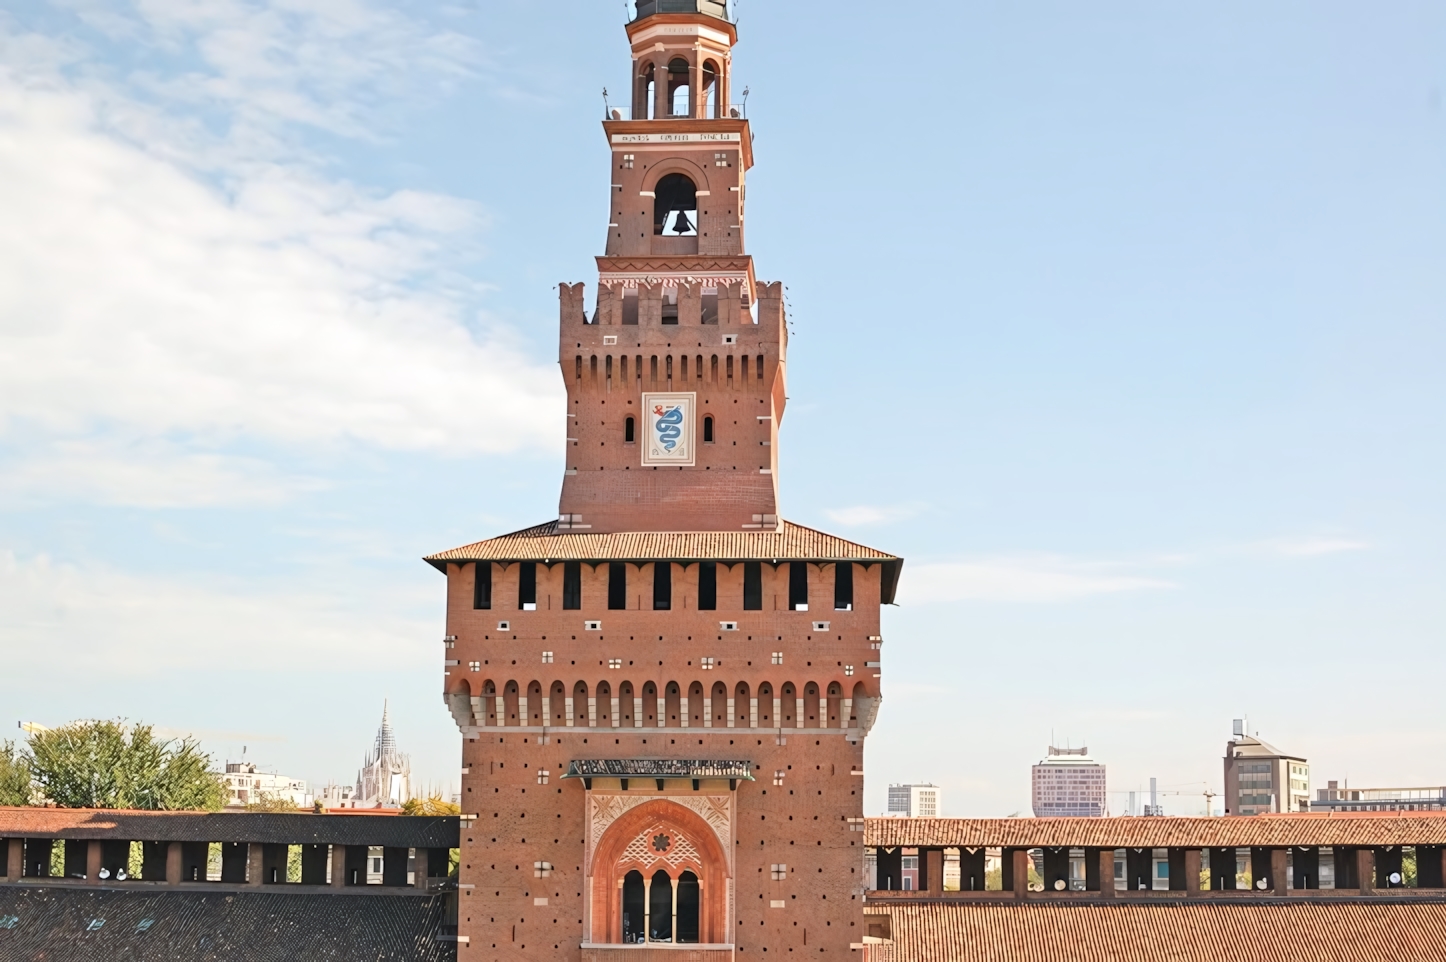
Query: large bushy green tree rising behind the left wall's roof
{"x":118,"y":766}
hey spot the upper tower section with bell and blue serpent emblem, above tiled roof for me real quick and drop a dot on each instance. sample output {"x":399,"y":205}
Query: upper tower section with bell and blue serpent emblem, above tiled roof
{"x":682,"y":328}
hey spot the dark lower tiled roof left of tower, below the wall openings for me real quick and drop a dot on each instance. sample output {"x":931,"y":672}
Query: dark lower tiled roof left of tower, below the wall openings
{"x":79,"y":925}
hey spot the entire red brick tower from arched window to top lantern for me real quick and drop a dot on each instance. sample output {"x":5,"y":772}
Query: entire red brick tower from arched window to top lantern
{"x":664,"y":692}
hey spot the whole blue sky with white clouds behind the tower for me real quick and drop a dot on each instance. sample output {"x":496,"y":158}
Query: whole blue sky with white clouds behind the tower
{"x":1124,"y":325}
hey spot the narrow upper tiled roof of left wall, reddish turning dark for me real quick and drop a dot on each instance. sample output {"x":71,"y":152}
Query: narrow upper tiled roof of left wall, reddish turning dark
{"x":228,"y":827}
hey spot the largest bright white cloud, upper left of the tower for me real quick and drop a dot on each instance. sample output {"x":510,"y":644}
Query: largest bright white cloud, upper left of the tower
{"x":163,"y":289}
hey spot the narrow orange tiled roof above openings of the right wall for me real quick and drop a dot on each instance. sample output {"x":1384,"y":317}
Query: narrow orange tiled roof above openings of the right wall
{"x":1361,"y":830}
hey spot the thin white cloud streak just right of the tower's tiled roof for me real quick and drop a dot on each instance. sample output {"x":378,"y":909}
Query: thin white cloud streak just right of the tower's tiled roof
{"x":1019,"y":579}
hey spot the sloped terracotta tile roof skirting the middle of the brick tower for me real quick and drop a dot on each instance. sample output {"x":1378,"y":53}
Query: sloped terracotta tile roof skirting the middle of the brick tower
{"x":543,"y":543}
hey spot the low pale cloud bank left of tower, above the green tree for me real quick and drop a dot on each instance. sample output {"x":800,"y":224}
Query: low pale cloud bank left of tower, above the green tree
{"x":63,"y":617}
